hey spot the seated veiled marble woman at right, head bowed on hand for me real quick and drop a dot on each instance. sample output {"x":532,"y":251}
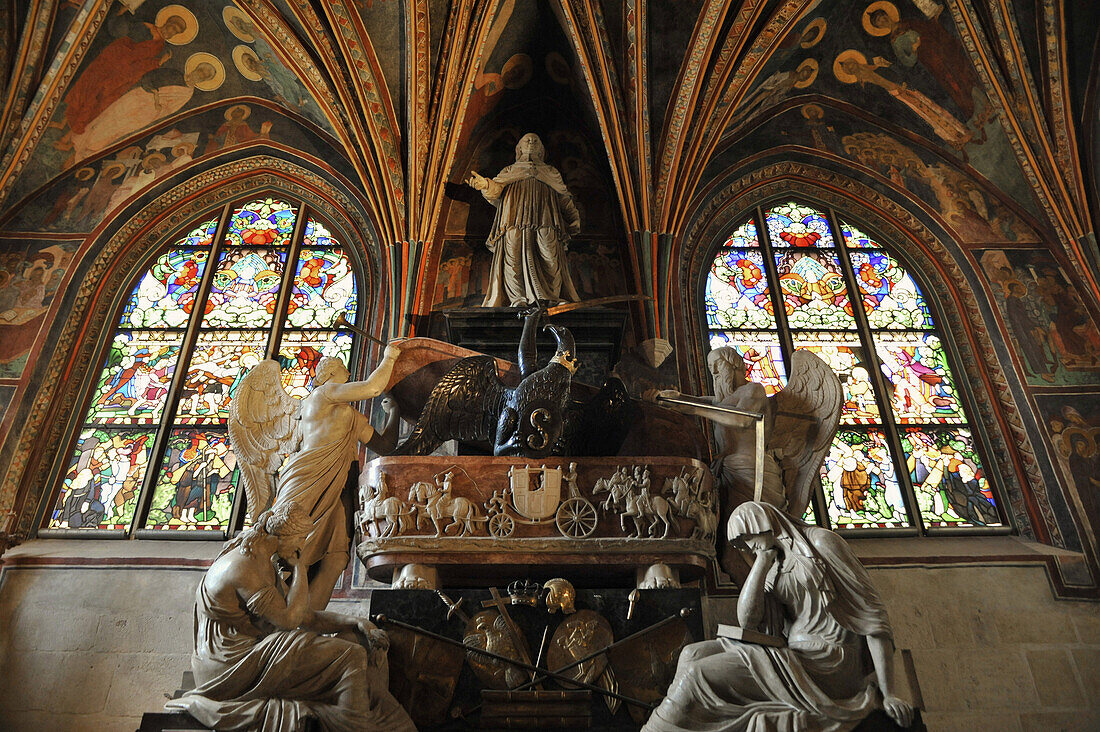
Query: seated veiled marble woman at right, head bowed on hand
{"x":837,"y":667}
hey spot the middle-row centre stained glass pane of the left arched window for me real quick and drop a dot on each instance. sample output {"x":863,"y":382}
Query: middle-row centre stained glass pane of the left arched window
{"x":217,"y":367}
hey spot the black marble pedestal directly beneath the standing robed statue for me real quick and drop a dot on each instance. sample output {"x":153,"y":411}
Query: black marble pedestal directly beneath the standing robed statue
{"x":497,"y":331}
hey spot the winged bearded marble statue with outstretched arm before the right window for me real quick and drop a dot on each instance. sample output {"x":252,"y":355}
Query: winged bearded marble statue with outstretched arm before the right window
{"x":799,"y":424}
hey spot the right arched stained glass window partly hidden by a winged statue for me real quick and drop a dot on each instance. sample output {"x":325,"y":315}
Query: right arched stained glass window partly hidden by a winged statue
{"x":906,"y":455}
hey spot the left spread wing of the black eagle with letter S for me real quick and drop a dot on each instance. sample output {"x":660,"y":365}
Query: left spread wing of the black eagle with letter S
{"x":466,"y":405}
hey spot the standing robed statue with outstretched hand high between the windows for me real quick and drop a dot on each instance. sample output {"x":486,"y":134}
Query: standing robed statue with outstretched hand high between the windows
{"x":535,"y":220}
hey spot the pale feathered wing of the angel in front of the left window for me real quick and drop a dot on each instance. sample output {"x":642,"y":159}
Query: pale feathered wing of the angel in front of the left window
{"x":263,"y":430}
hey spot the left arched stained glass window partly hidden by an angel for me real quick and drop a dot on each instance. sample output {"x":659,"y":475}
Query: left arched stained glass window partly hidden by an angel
{"x":152,"y":454}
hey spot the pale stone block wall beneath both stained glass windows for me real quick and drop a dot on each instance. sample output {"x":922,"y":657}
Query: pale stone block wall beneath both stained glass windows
{"x":91,"y":643}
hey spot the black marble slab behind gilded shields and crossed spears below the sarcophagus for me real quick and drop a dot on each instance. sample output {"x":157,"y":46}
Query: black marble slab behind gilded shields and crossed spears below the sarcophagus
{"x":434,"y":682}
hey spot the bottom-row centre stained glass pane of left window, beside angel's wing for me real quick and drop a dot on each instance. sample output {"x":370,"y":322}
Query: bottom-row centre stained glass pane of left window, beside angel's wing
{"x":197,"y":483}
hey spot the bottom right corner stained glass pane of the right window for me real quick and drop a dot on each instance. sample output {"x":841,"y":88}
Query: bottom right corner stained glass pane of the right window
{"x":951,"y":485}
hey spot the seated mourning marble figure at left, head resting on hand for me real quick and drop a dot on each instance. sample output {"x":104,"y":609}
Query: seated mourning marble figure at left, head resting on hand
{"x":262,"y":660}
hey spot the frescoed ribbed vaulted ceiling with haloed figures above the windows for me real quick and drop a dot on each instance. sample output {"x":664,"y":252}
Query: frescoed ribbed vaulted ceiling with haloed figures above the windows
{"x":972,"y":113}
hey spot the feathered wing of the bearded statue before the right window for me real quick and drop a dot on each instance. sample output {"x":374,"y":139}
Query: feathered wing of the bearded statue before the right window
{"x":807,"y":417}
